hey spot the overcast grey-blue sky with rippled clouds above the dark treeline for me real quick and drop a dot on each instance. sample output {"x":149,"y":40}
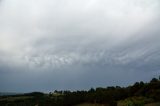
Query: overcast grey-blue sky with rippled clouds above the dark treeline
{"x":77,"y":44}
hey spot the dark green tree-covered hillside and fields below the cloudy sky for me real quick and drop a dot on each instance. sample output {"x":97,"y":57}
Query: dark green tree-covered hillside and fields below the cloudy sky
{"x":139,"y":94}
